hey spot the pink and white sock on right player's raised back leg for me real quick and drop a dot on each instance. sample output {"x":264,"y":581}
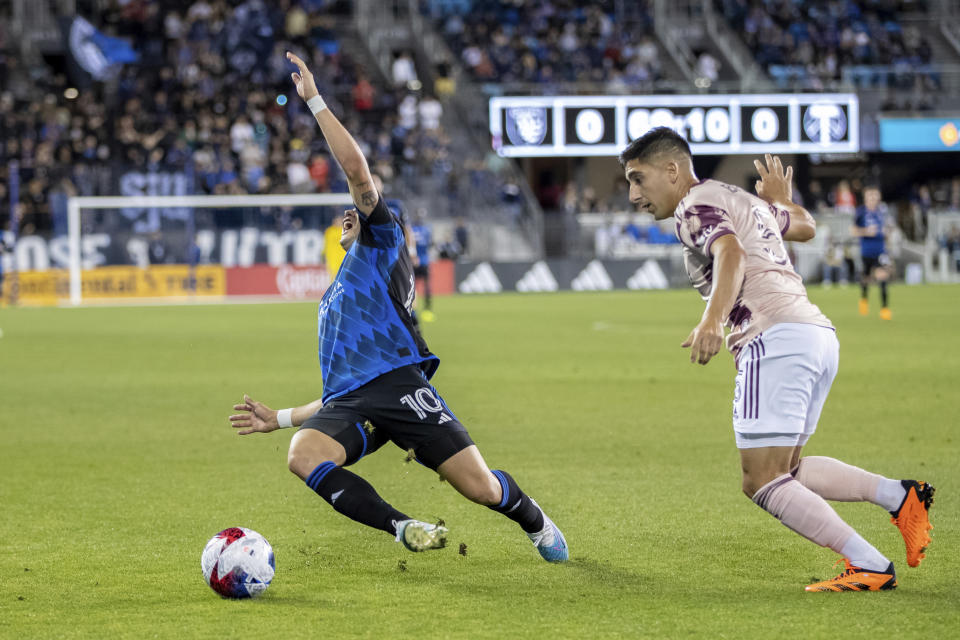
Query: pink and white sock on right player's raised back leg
{"x":834,"y":480}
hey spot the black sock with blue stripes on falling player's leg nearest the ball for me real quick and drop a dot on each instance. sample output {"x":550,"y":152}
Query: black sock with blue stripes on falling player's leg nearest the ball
{"x":353,"y":496}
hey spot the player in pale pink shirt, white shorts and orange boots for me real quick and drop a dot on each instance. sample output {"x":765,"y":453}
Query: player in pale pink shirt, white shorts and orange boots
{"x":786,"y":352}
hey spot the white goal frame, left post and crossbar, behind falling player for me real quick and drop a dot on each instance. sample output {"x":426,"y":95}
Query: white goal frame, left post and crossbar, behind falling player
{"x":76,"y":205}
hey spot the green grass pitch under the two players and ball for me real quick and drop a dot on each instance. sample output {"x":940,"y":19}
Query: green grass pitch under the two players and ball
{"x":117,"y":464}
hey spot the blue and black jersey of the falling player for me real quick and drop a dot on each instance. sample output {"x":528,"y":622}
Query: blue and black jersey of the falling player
{"x":364,"y":321}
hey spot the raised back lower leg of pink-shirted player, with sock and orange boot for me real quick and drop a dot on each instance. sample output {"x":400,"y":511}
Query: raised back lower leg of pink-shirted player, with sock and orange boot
{"x":908,"y":501}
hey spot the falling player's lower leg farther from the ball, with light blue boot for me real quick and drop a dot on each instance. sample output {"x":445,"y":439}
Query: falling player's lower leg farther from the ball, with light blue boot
{"x":467,"y":472}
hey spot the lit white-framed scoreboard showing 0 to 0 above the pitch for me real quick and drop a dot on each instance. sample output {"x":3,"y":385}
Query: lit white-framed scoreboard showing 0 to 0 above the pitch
{"x":526,"y":126}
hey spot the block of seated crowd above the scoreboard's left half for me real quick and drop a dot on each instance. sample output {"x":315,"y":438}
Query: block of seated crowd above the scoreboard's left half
{"x":552,"y":42}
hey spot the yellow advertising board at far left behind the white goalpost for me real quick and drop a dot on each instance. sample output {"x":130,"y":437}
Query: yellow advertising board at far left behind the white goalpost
{"x":116,"y":283}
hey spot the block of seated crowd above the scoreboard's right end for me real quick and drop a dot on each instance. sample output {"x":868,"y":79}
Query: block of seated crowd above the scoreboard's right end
{"x":815,"y":45}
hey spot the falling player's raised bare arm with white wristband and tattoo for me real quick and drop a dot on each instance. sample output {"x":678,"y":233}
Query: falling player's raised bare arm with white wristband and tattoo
{"x":342,"y":144}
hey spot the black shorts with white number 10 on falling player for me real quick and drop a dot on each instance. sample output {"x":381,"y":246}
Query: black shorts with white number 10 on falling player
{"x":400,"y":407}
